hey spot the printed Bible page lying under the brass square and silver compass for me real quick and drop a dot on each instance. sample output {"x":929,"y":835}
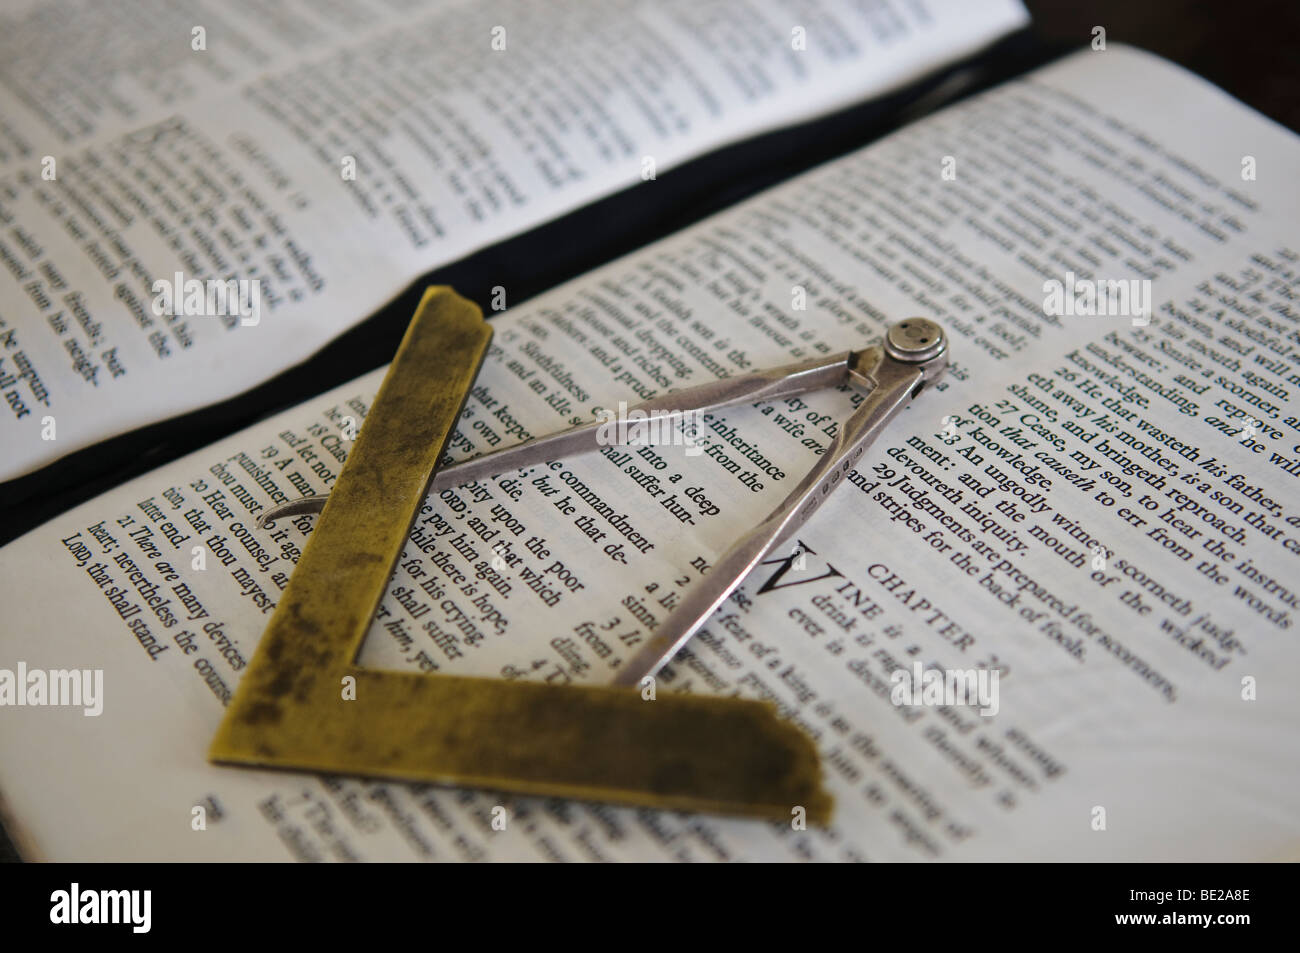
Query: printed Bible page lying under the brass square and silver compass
{"x":1100,"y":508}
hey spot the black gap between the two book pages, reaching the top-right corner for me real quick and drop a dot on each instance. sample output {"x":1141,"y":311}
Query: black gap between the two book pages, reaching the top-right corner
{"x":1247,"y":47}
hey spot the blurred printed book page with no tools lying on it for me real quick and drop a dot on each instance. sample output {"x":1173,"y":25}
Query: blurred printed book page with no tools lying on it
{"x":190,"y":211}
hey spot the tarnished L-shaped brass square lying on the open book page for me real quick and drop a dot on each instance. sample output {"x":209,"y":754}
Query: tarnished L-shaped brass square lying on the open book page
{"x":681,"y":752}
